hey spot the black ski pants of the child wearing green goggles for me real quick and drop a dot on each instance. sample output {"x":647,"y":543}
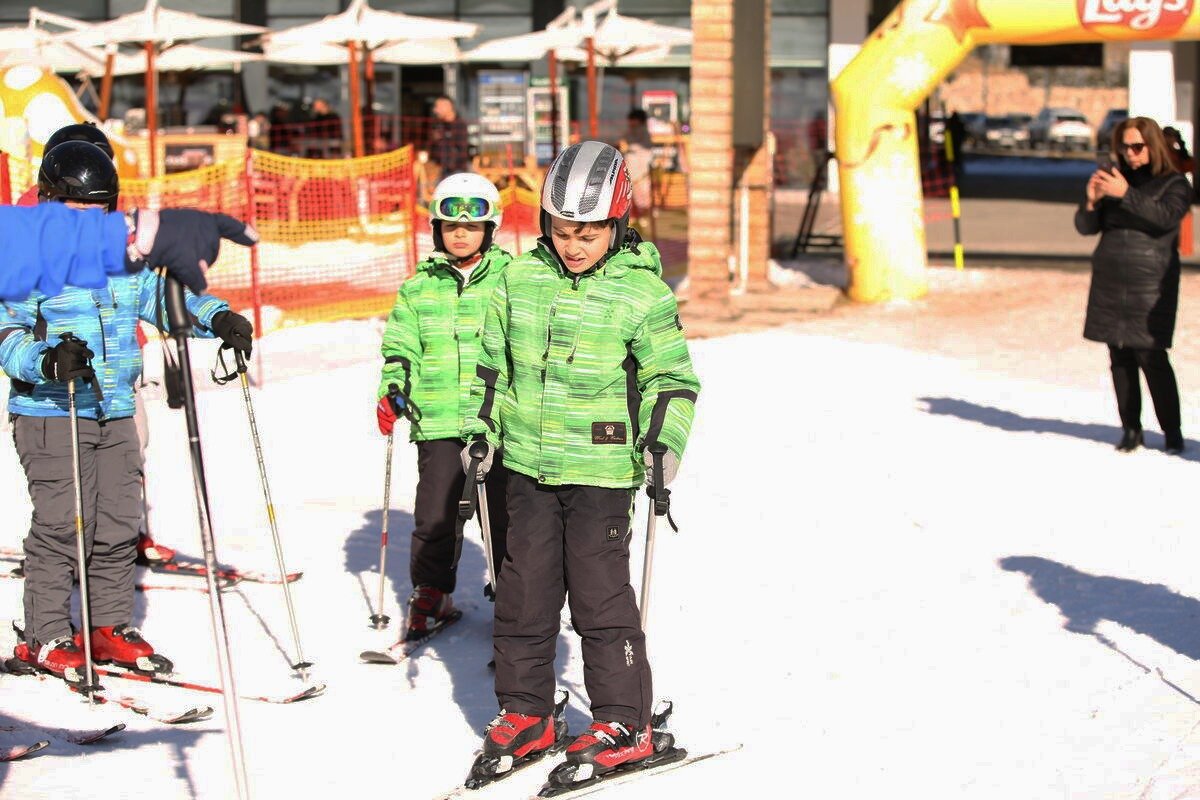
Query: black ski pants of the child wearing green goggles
{"x":440,"y":484}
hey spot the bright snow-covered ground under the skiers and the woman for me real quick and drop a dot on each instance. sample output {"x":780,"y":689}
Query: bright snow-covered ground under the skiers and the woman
{"x":899,"y":574}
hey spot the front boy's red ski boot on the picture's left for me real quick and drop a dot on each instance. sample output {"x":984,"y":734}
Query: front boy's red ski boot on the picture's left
{"x":515,"y":741}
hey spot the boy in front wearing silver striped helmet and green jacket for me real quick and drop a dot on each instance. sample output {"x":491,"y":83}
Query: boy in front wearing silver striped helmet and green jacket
{"x":584,"y":368}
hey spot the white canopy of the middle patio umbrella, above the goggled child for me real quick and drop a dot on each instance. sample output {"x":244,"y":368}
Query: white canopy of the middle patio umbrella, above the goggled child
{"x":362,"y":23}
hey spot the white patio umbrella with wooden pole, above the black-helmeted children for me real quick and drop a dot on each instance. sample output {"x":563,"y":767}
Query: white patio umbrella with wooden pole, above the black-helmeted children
{"x":157,"y":29}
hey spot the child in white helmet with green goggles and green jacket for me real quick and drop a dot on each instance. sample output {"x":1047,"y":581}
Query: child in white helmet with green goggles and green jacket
{"x":430,"y":350}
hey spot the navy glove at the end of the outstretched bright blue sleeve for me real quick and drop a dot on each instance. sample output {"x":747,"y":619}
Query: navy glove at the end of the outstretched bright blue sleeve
{"x":184,"y":240}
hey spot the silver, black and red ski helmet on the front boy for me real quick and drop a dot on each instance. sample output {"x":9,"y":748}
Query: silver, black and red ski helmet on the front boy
{"x":589,"y":183}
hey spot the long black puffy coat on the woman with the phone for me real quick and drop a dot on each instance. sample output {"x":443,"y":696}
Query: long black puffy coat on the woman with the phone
{"x":1136,"y":267}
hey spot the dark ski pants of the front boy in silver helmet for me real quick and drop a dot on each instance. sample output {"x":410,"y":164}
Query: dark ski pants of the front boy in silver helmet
{"x":571,"y":543}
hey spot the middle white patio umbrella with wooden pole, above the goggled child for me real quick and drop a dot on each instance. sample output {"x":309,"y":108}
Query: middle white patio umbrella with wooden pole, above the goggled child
{"x":364,"y":29}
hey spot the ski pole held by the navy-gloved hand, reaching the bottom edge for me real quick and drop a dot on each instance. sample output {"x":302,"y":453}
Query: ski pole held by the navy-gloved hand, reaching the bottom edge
{"x":179,"y":321}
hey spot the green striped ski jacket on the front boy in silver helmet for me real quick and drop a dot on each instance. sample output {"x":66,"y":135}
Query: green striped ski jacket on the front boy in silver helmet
{"x":580,"y":372}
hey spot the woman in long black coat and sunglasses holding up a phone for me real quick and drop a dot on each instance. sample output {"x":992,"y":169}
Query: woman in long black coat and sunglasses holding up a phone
{"x":1137,"y":208}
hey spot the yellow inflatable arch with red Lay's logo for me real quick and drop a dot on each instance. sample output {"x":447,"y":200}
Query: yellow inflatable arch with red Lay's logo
{"x":877,"y":95}
